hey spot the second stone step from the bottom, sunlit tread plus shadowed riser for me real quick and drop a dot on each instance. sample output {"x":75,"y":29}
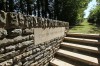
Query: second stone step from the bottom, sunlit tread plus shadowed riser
{"x":80,"y":58}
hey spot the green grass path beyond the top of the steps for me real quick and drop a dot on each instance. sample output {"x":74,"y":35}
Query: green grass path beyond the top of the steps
{"x":85,"y":27}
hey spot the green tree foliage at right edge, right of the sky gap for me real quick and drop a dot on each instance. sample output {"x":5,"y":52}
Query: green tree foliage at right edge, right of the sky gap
{"x":94,"y":16}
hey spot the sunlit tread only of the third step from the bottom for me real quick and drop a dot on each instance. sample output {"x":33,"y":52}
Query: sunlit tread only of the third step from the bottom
{"x":79,"y":46}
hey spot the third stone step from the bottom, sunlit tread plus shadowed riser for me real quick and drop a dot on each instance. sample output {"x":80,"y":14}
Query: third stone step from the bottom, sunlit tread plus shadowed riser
{"x":87,"y":50}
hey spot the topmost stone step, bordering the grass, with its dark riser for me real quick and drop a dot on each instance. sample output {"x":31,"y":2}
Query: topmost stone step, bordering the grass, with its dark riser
{"x":80,"y":35}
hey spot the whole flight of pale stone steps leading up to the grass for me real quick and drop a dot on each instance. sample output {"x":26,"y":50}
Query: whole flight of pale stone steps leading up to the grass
{"x":78,"y":50}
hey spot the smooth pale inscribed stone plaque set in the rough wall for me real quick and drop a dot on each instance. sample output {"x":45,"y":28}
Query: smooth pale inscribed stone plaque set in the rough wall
{"x":42,"y":35}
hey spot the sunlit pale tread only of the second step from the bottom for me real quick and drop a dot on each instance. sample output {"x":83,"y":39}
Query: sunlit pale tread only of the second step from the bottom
{"x":77,"y":56}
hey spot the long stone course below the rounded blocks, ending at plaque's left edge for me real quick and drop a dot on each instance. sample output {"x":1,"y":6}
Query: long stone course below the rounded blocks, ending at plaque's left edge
{"x":19,"y":39}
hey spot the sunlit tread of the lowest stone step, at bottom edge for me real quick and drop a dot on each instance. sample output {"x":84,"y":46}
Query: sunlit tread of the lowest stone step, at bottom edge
{"x":58,"y":62}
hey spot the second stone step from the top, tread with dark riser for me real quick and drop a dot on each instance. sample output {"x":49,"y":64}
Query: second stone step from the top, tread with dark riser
{"x":88,"y":42}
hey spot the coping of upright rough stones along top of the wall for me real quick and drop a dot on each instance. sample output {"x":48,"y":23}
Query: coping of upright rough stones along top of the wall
{"x":14,"y":20}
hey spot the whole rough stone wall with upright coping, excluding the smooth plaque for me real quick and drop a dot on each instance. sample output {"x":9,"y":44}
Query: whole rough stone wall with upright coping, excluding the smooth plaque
{"x":17,"y":46}
